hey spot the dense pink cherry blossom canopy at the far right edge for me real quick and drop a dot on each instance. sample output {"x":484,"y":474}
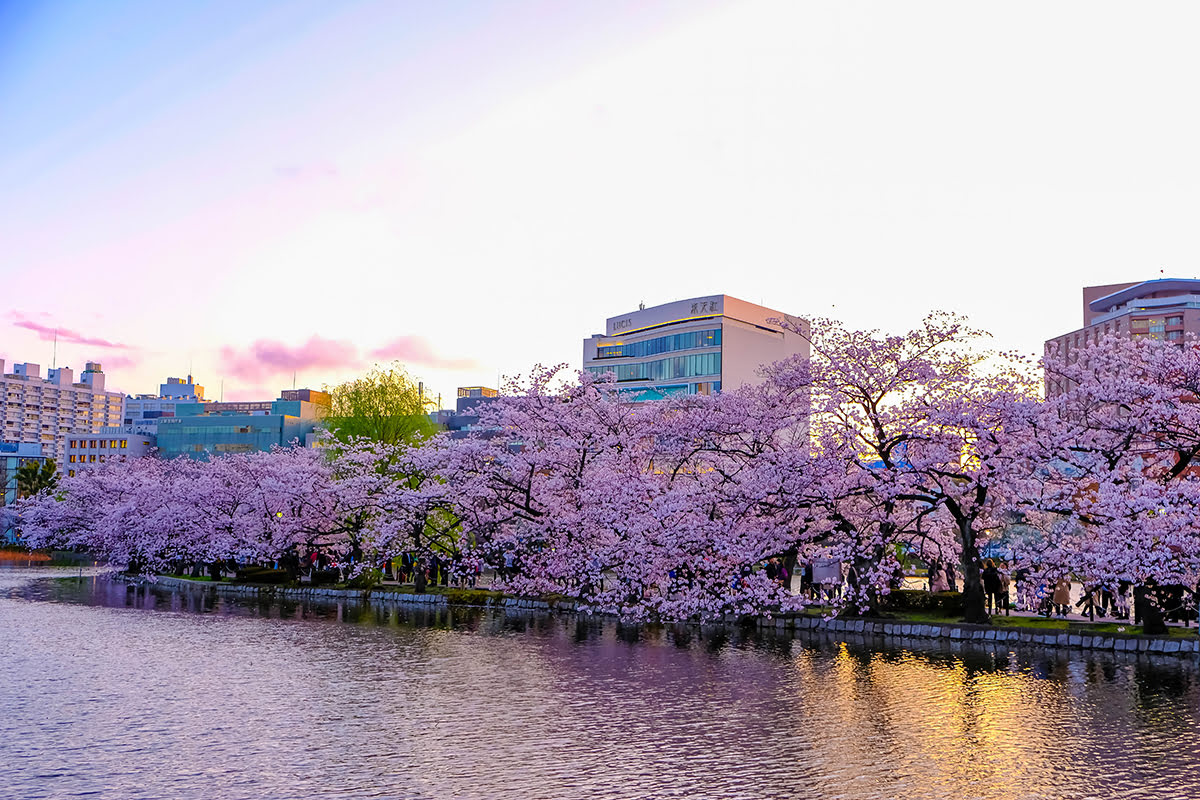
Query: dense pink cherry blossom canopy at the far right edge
{"x":1115,"y":464}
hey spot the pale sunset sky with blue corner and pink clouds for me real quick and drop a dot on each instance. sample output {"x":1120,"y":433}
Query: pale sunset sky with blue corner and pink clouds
{"x":275,"y":193}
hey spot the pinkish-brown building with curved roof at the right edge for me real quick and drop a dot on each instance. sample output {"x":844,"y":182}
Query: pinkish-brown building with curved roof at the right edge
{"x":1167,"y":309}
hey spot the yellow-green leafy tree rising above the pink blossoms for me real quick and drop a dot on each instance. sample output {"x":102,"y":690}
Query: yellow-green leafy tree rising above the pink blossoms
{"x":383,"y":406}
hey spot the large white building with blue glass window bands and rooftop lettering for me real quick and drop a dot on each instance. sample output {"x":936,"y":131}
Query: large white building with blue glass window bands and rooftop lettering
{"x":693,"y":347}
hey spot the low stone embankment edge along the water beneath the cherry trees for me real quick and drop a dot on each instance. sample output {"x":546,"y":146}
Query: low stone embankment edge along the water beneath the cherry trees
{"x":952,"y":633}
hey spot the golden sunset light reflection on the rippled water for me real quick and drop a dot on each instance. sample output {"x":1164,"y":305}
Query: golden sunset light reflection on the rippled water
{"x":941,"y":725}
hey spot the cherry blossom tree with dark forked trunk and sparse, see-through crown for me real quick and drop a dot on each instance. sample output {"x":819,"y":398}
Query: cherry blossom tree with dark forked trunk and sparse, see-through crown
{"x":916,"y":438}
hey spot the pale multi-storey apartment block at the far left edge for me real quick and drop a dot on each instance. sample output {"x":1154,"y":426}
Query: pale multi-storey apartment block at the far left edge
{"x":49,"y":411}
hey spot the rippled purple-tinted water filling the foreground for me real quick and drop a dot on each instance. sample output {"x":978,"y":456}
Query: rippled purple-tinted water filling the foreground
{"x":111,"y":691}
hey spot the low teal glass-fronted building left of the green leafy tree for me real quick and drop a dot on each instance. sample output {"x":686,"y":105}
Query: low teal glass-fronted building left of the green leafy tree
{"x":207,"y":430}
